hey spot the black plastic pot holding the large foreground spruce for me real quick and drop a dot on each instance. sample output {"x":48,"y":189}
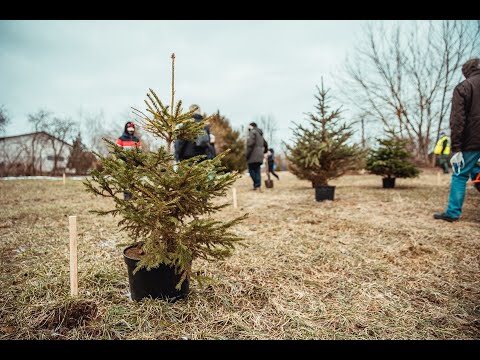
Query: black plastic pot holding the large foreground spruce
{"x":159,"y":283}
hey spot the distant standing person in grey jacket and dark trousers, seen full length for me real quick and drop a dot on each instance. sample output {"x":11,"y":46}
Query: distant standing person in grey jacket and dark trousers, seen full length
{"x":256,"y":148}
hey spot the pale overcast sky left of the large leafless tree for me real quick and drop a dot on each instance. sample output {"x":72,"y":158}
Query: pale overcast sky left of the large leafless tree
{"x":245,"y":69}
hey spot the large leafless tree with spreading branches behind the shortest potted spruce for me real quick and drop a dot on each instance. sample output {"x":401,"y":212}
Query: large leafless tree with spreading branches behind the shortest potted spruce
{"x":404,"y":79}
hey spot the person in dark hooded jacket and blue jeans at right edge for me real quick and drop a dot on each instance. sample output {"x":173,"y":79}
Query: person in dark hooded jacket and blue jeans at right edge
{"x":465,"y":138}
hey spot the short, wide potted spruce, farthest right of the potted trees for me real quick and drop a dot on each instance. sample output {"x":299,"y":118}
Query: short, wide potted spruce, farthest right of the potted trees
{"x":391,"y":160}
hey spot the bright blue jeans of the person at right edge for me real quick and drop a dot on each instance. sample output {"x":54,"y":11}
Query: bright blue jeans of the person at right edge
{"x":459,"y":183}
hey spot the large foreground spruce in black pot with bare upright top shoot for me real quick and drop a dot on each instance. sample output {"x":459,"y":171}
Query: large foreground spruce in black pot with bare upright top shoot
{"x":168,"y":216}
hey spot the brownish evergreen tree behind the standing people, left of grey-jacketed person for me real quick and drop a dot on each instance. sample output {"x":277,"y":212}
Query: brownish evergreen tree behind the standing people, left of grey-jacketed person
{"x":228,"y":139}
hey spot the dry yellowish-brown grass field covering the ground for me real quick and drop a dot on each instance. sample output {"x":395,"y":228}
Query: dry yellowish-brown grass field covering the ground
{"x":373,"y":264}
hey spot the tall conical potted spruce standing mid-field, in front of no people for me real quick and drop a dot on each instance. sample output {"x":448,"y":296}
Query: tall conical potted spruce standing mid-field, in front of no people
{"x":320,"y":150}
